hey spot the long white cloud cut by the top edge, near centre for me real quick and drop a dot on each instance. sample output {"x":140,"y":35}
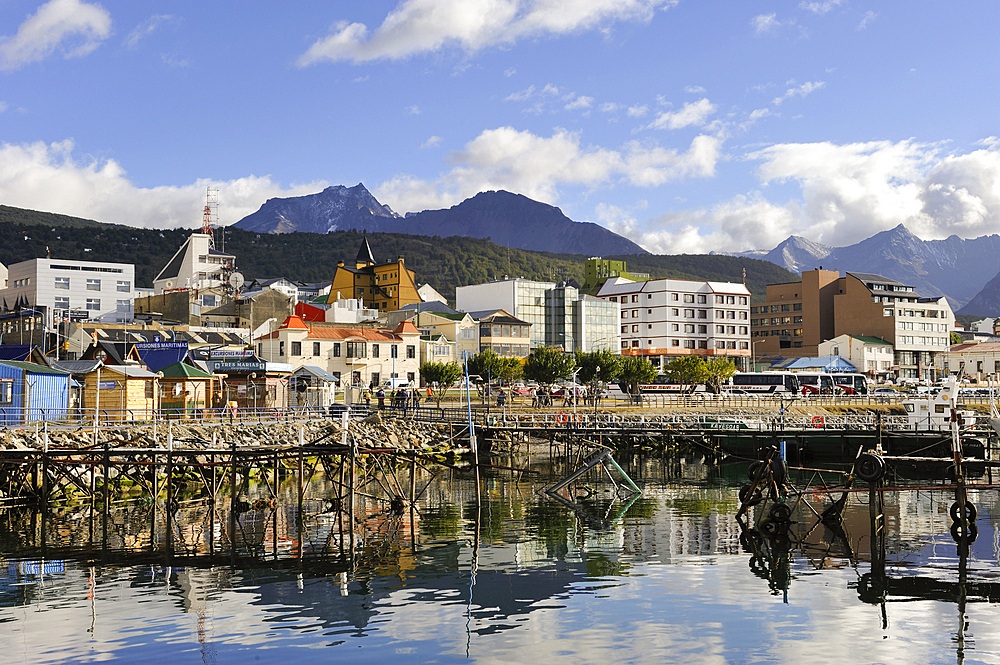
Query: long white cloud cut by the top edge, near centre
{"x":425,"y":26}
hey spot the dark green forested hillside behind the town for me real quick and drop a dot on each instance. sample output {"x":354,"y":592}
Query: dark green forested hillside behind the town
{"x":442,"y":262}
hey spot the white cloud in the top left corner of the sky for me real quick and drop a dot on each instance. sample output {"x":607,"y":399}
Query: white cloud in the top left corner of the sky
{"x":75,"y":28}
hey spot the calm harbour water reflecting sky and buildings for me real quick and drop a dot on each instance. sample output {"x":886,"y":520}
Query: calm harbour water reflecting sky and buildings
{"x":670,"y":575}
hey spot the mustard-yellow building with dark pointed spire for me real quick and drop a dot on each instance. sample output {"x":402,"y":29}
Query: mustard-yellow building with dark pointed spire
{"x":382,"y":286}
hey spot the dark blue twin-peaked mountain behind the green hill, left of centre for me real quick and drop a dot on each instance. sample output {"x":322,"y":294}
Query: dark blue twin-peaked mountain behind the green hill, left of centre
{"x":512,"y":220}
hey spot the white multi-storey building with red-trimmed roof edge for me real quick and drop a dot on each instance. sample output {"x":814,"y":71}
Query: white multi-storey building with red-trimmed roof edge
{"x":662,"y":319}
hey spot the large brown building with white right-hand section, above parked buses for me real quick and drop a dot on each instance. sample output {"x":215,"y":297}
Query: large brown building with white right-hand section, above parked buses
{"x":797,"y":316}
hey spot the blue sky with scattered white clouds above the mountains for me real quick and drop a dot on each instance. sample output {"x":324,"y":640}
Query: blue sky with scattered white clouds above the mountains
{"x":686,"y":126}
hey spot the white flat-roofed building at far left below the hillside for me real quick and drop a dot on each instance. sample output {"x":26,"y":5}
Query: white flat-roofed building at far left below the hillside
{"x":74,"y":290}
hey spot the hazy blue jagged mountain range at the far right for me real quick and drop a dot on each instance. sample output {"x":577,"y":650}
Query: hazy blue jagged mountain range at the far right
{"x":961,"y":269}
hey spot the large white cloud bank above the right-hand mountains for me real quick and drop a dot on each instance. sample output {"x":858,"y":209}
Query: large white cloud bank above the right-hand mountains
{"x":848,"y":193}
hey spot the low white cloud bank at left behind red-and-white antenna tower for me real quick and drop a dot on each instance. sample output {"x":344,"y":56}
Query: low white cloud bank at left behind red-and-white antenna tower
{"x":40,"y":176}
